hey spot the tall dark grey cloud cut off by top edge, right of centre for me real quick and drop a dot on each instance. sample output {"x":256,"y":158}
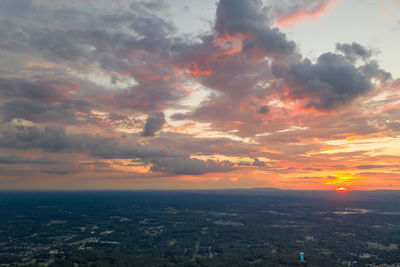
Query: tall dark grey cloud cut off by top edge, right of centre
{"x":249,"y":20}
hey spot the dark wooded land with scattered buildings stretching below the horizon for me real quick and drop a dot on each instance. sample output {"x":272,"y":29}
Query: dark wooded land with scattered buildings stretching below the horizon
{"x":200,"y":228}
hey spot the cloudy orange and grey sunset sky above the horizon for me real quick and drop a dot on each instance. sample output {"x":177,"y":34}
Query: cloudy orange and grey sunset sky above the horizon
{"x":173,"y":94}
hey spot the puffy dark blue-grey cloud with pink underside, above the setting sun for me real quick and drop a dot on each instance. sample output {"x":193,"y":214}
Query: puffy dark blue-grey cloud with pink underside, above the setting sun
{"x":328,"y":84}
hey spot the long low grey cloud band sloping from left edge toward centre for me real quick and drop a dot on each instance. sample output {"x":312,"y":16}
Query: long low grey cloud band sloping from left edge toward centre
{"x":57,"y":140}
